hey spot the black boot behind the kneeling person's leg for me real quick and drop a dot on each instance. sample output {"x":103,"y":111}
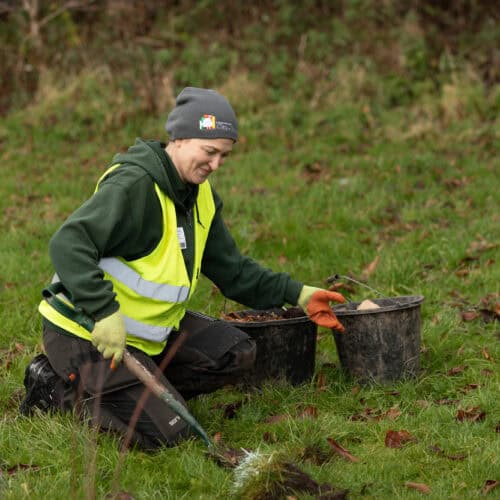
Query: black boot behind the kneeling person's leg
{"x":40,"y":381}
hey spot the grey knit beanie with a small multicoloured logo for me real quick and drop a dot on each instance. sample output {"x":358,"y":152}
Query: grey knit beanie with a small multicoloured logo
{"x":202,"y":114}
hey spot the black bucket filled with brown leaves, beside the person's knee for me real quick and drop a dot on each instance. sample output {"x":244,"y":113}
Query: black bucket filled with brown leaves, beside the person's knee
{"x":286,"y":344}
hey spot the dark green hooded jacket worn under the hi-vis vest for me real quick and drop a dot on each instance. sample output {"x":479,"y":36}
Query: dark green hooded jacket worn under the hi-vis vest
{"x":123,"y":218}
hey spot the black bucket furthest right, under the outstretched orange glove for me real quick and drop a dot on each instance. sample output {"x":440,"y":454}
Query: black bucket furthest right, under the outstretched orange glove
{"x":383,"y":344}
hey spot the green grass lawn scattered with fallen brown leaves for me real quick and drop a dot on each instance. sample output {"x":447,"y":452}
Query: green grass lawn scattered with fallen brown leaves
{"x":405,"y":199}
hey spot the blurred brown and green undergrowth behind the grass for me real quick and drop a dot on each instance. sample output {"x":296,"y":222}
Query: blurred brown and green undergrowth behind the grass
{"x":389,"y":53}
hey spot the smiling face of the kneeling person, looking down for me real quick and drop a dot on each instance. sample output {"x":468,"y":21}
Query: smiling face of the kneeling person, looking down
{"x":196,"y":159}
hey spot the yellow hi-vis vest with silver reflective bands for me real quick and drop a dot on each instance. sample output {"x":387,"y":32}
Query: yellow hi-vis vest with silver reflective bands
{"x":153,"y":290}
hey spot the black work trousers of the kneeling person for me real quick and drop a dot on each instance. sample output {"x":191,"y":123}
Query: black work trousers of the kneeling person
{"x":212,"y":354}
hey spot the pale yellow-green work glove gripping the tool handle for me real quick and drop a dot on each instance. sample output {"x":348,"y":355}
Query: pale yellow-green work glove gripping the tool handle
{"x":109,"y":336}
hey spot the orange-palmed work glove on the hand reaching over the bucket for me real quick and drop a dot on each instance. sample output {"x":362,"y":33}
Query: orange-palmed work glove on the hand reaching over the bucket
{"x":316,"y":304}
